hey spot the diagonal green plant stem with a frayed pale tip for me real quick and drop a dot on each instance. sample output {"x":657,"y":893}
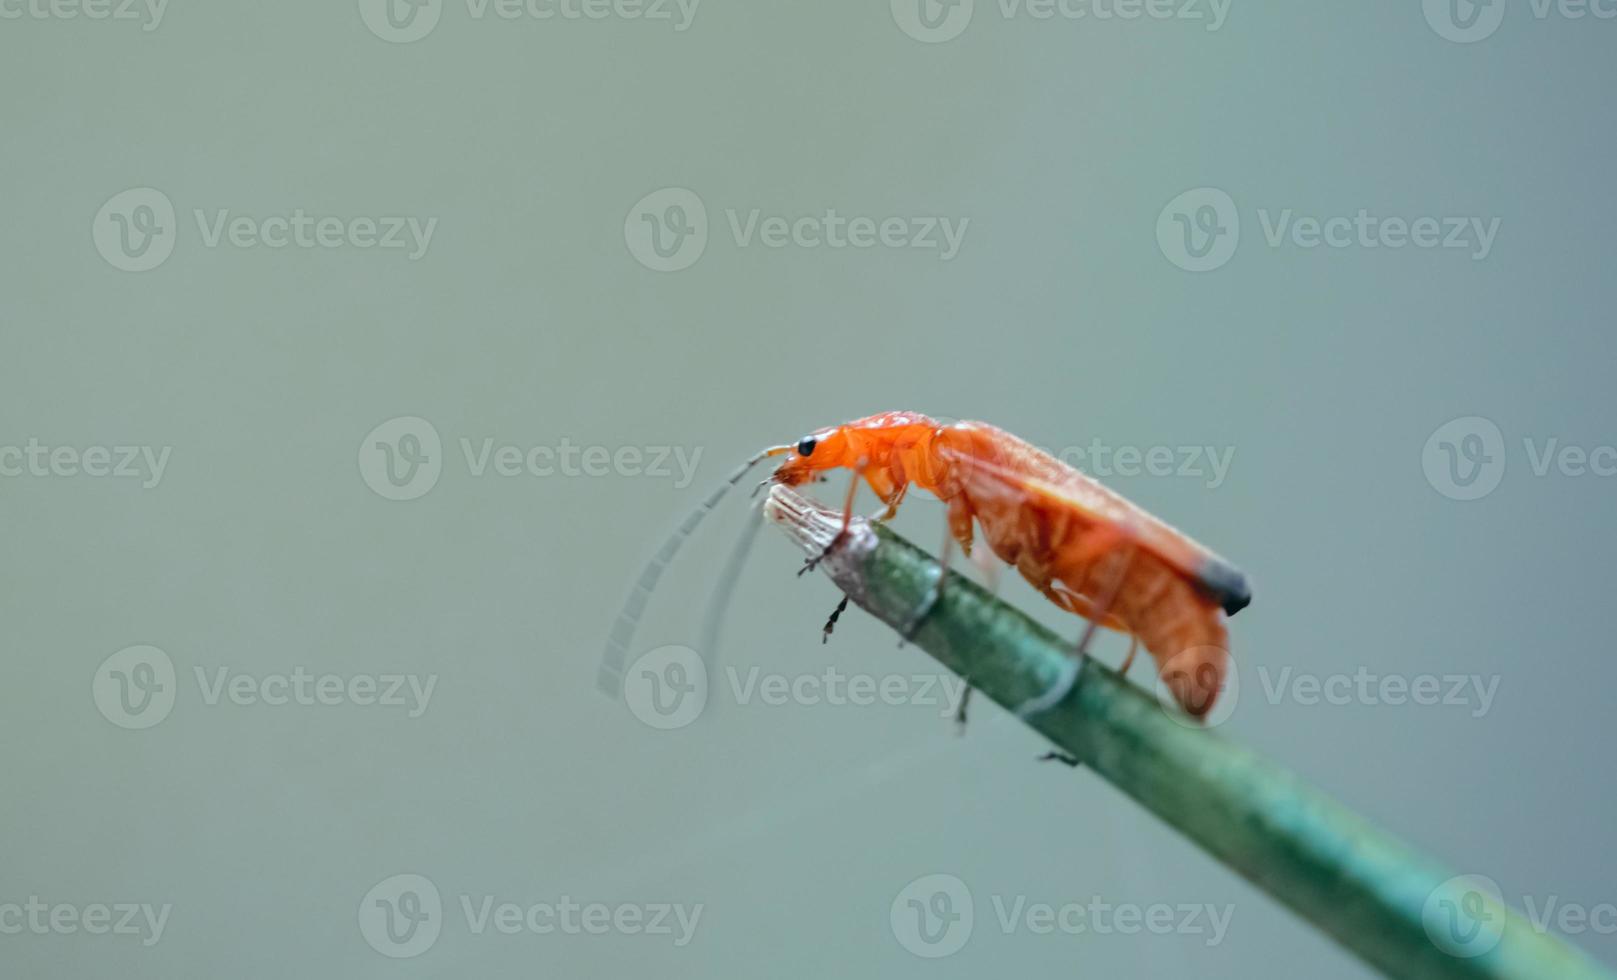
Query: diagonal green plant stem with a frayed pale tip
{"x":1315,"y":856}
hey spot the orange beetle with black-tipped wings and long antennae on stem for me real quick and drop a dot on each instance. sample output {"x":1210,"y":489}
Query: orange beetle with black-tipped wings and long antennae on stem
{"x":1087,"y":549}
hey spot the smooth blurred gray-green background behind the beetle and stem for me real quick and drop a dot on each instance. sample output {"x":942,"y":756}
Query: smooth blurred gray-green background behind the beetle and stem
{"x":630,"y":258}
